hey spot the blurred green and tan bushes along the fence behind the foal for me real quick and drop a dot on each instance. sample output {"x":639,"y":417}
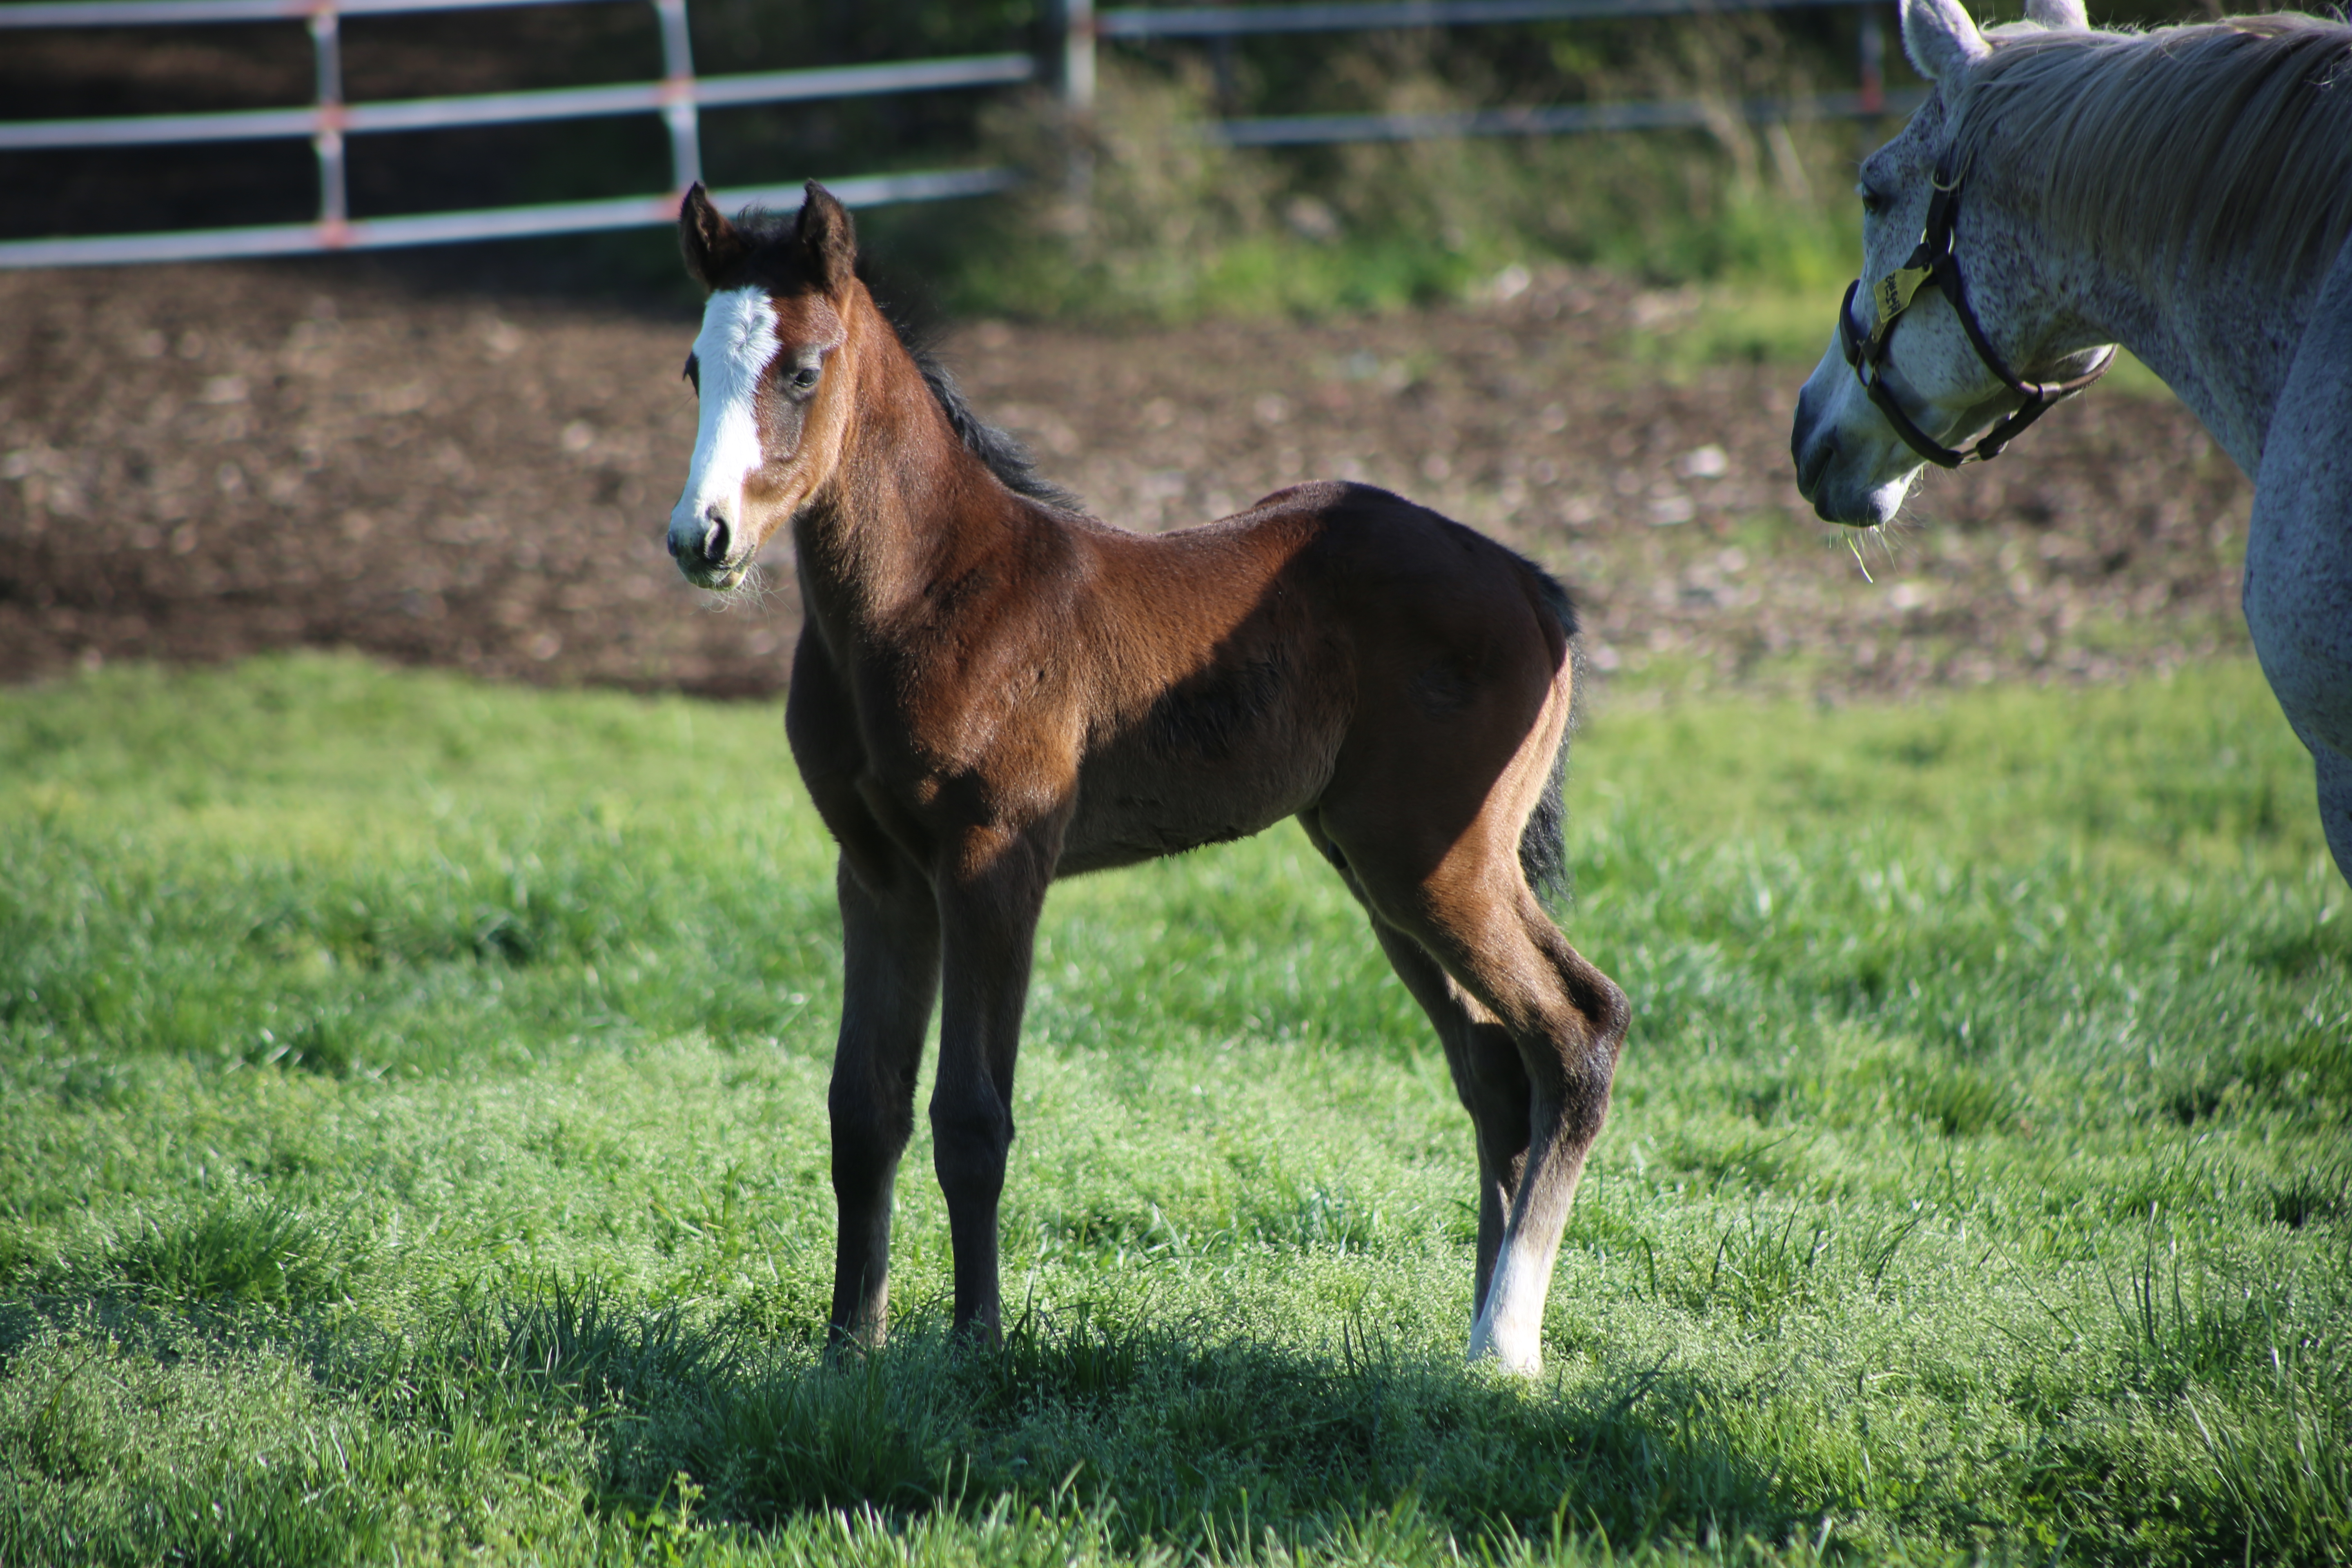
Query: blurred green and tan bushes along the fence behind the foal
{"x":1137,"y":213}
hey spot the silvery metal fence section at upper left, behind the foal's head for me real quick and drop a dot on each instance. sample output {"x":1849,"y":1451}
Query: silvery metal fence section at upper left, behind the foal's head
{"x":679,"y":98}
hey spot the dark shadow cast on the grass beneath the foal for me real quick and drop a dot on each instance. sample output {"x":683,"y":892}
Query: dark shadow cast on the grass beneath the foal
{"x":1172,"y":1433}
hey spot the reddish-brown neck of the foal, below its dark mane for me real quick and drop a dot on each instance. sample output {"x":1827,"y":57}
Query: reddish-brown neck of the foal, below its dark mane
{"x":907,"y":504}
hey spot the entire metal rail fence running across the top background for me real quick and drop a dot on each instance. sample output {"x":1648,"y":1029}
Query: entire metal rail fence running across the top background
{"x":681,"y":95}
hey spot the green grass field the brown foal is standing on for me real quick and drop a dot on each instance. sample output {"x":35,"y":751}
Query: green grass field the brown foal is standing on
{"x":413,"y":1148}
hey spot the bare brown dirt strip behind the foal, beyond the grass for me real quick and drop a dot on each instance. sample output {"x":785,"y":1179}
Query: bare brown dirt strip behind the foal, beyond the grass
{"x":220,"y":460}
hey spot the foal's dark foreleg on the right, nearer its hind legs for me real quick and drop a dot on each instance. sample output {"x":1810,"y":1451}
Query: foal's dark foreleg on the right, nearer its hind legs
{"x":989,"y":923}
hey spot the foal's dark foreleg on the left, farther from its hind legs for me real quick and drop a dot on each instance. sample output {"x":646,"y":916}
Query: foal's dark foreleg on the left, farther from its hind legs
{"x":890,"y":977}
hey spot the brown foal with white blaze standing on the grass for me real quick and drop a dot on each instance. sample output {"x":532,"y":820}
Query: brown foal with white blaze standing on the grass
{"x":996,"y":690}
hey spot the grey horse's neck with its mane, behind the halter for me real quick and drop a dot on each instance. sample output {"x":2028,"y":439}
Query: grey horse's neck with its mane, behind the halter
{"x":2181,"y":192}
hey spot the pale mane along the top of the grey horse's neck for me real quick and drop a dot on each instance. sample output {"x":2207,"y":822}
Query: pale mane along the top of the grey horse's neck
{"x":2214,"y":145}
